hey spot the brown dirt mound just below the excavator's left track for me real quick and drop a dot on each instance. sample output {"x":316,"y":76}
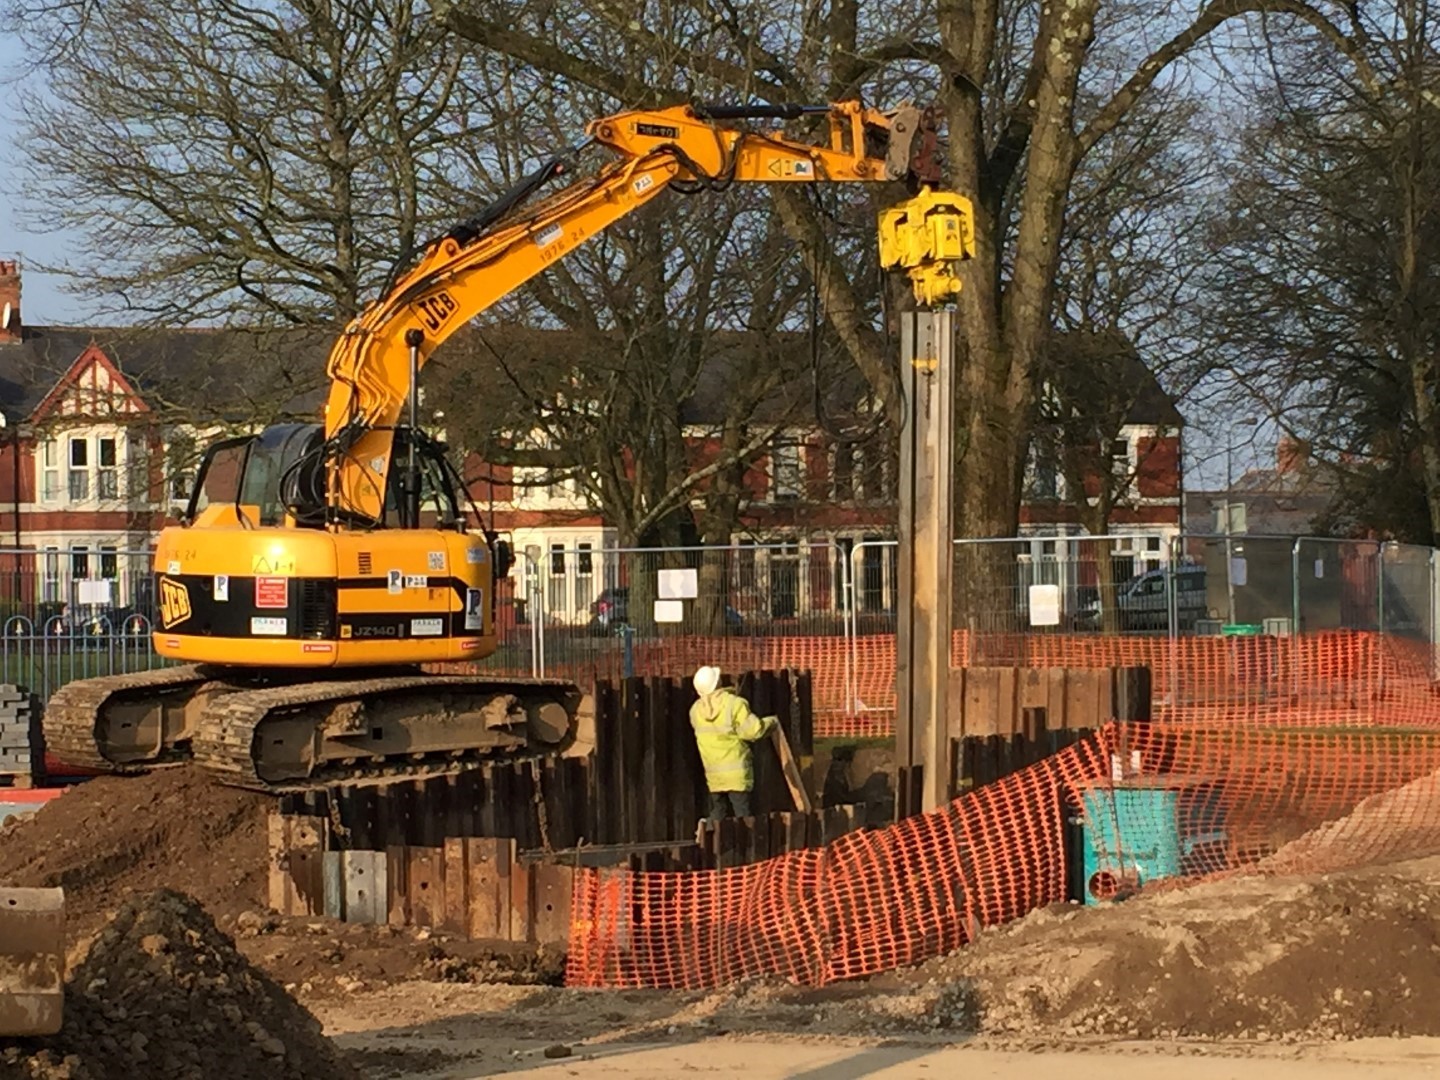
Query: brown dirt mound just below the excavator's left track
{"x":119,"y":836}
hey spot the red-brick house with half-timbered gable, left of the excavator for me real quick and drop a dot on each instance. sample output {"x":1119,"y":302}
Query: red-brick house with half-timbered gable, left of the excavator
{"x":100,"y":434}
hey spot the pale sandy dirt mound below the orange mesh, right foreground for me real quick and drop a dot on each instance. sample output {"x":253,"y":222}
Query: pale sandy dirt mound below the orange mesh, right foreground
{"x":1338,"y":957}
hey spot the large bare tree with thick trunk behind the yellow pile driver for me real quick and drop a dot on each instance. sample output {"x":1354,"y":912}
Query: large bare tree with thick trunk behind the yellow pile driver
{"x":1012,"y":80}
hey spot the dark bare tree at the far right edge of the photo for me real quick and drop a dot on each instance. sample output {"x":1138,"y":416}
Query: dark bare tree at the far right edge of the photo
{"x":1328,"y":279}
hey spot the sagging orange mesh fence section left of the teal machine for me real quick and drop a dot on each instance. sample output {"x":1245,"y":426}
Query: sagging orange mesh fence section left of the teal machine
{"x":866,"y":904}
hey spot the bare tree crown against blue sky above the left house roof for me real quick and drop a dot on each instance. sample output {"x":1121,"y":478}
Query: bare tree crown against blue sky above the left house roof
{"x":222,"y":161}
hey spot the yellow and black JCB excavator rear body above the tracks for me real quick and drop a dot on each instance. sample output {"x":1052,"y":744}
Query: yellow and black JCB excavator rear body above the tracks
{"x":309,"y":598}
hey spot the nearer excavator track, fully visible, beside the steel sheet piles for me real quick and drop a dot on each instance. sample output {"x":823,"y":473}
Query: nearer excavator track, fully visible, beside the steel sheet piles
{"x":312,"y":735}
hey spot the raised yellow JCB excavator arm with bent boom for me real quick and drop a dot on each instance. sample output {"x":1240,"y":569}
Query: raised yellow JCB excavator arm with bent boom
{"x":378,"y":359}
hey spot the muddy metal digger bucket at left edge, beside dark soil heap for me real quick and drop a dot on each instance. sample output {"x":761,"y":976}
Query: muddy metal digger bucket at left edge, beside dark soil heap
{"x":32,"y":961}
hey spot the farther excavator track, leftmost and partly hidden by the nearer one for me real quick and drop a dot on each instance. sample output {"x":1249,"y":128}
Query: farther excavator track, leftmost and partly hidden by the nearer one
{"x":119,"y":724}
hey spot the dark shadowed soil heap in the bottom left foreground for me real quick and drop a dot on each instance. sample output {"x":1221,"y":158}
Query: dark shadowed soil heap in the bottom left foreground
{"x":165,"y":994}
